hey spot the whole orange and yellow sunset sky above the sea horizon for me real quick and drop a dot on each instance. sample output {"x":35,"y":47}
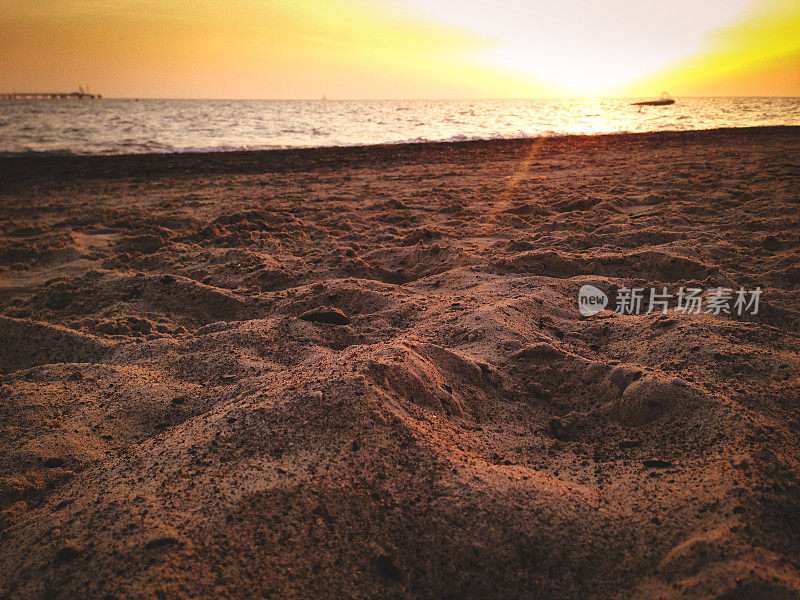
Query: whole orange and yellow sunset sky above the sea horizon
{"x":401,"y":48}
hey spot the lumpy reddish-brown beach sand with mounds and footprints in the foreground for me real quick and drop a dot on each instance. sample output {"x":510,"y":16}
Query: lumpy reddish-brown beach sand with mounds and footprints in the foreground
{"x":362,"y":372}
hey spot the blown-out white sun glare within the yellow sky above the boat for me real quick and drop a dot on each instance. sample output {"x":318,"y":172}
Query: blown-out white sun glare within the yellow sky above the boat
{"x":587,"y":47}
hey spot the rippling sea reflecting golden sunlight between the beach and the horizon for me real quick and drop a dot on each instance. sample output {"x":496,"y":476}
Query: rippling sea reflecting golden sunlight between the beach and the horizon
{"x":111,"y":126}
